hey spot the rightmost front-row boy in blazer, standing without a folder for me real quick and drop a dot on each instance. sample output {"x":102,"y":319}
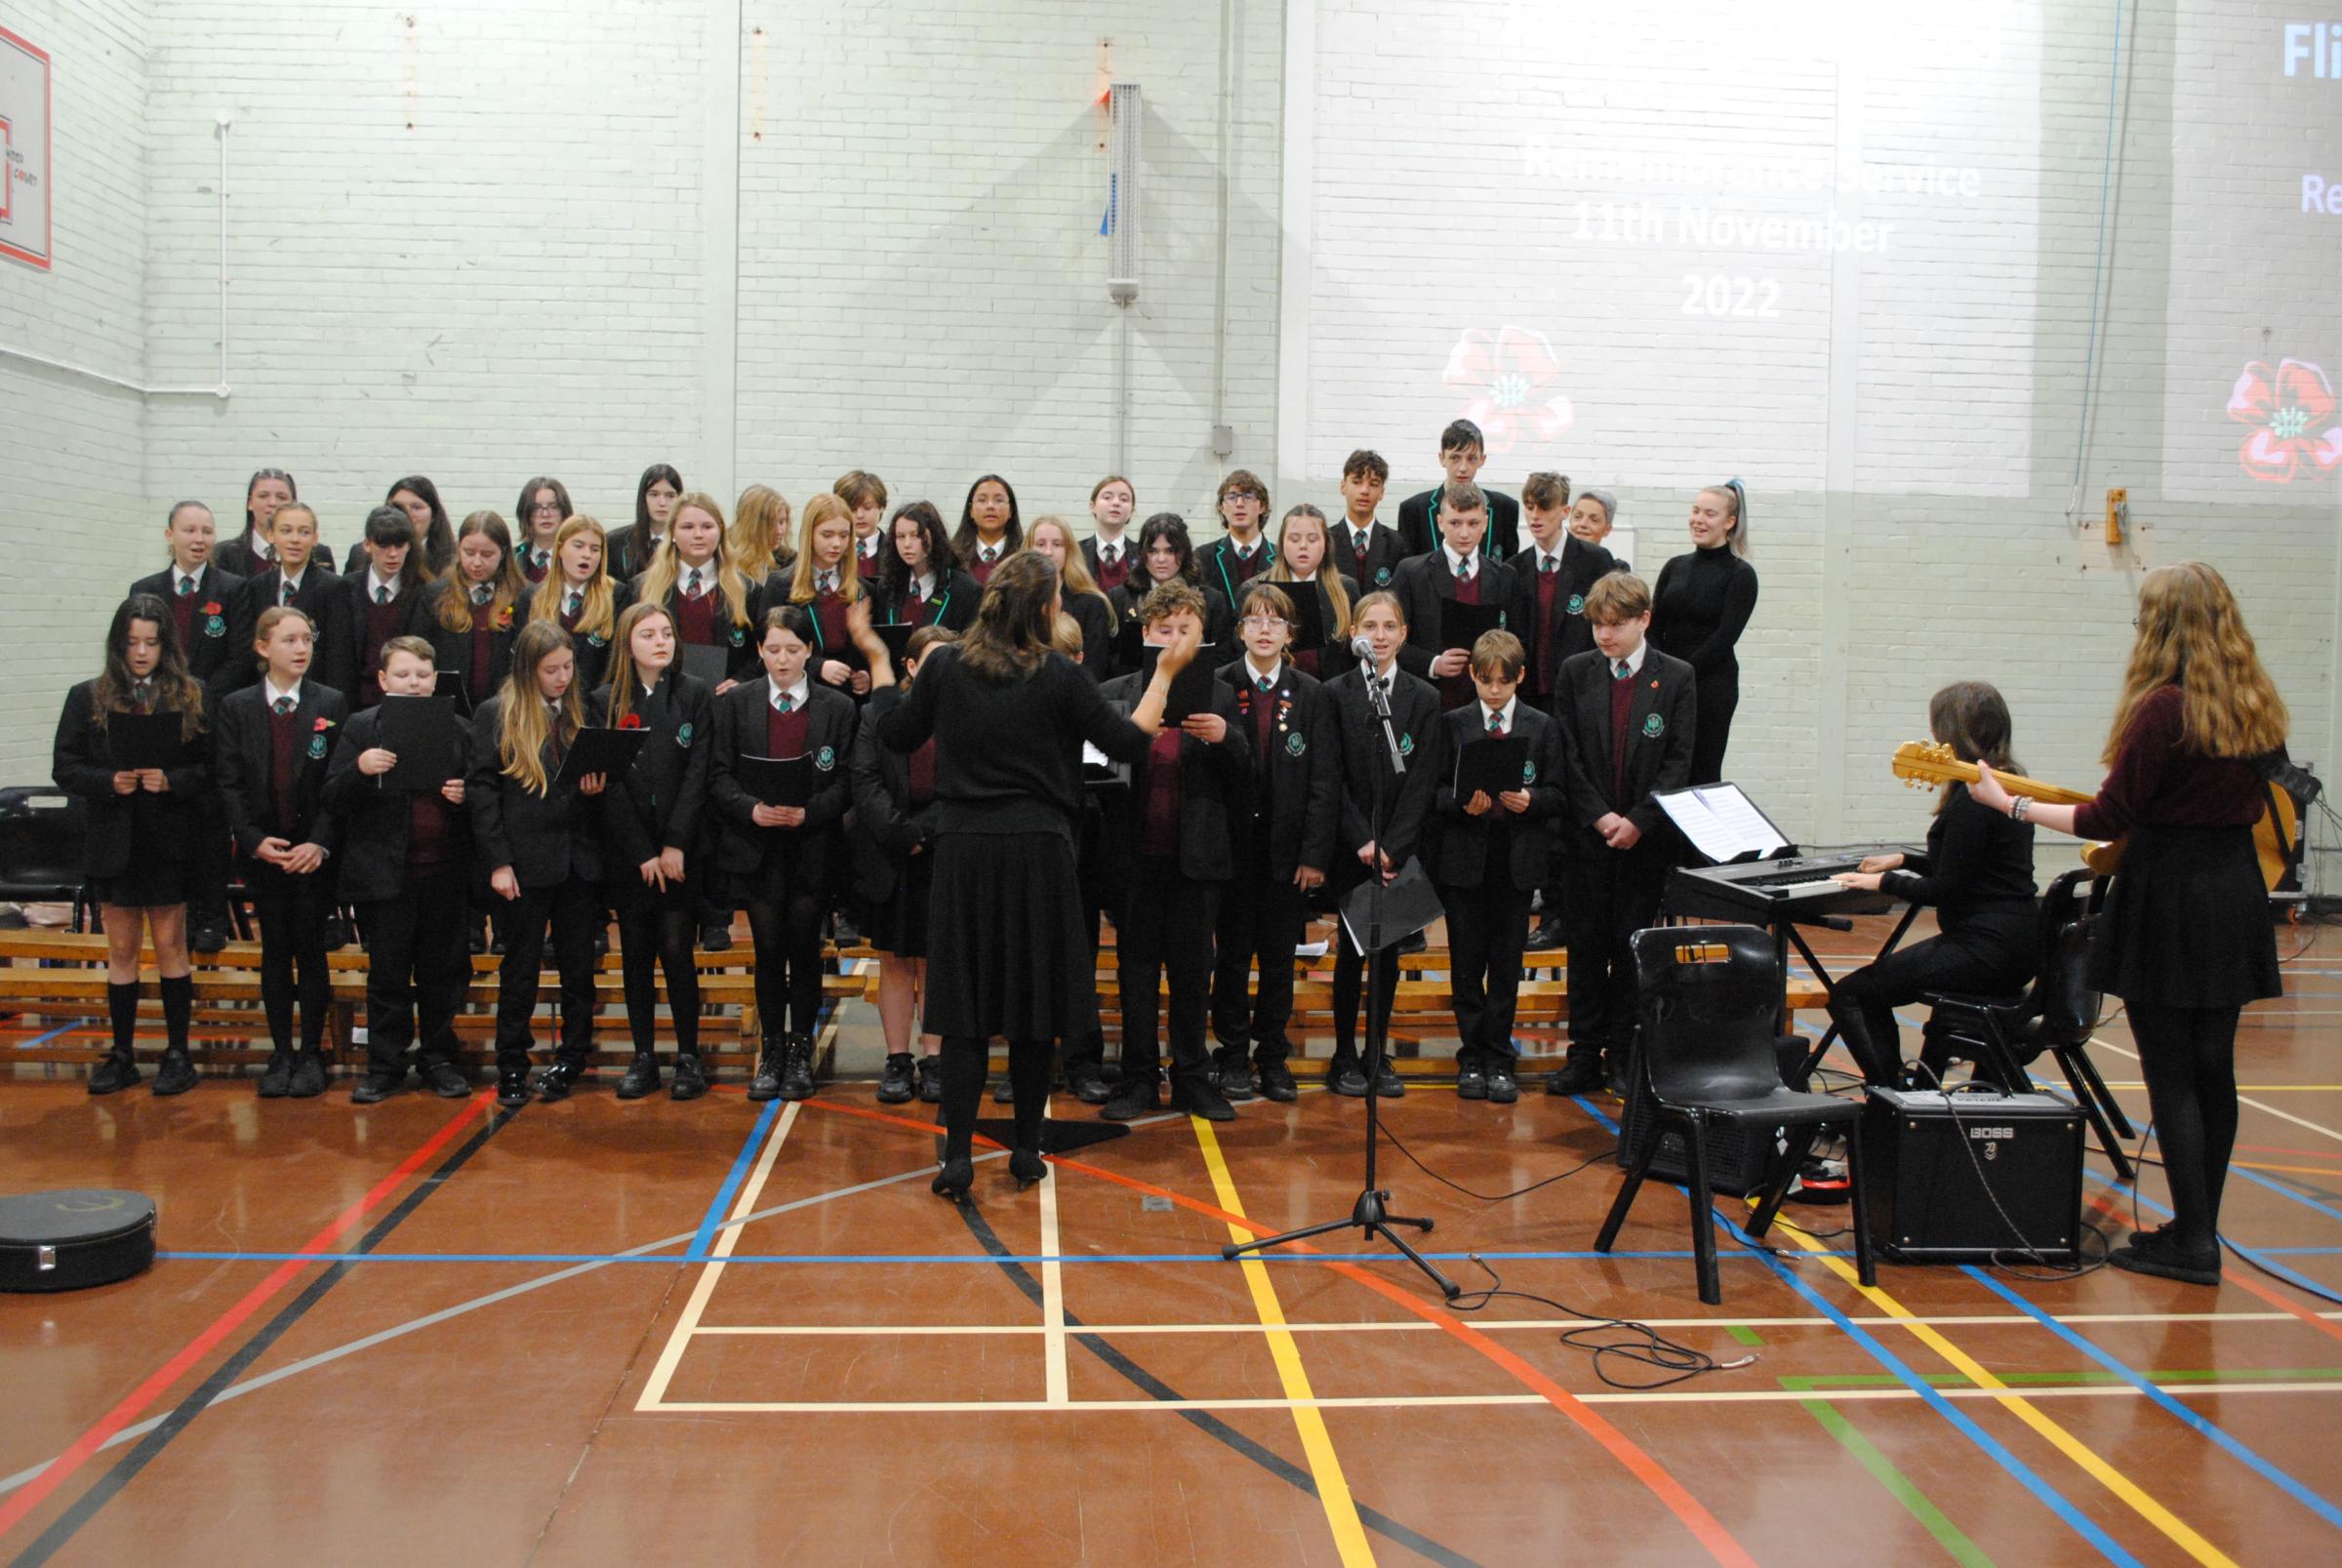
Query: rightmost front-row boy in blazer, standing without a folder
{"x":1629,"y":713}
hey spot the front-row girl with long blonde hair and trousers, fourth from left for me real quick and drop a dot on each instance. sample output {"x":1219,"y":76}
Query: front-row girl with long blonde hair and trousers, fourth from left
{"x":542,"y":855}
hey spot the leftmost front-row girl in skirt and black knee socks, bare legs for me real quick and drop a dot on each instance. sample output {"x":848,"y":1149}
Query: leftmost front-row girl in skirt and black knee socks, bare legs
{"x":142,"y":830}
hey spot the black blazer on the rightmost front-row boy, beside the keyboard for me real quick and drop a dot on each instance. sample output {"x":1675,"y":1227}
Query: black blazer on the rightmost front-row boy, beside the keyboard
{"x":1659,"y":731}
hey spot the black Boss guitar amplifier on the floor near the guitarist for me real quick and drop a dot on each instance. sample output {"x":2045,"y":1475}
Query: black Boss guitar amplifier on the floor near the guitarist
{"x":1961,"y":1178}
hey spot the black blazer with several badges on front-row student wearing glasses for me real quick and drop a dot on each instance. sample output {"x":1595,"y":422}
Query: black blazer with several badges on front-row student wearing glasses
{"x":1289,"y":811}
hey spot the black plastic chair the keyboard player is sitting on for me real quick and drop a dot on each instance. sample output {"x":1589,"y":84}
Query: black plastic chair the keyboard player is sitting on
{"x":2001,"y":1036}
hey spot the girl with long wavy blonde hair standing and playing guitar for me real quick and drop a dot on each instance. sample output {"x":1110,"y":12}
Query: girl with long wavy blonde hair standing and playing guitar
{"x":2186,"y":935}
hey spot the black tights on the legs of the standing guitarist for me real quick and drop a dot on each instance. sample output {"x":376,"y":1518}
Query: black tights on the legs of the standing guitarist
{"x":2189,"y":1057}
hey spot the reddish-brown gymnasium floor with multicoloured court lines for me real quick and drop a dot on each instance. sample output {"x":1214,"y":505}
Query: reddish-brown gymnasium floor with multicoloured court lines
{"x":596,"y":1333}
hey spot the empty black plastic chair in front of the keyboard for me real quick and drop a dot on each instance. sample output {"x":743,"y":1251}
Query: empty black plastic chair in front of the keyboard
{"x":1708,"y":1000}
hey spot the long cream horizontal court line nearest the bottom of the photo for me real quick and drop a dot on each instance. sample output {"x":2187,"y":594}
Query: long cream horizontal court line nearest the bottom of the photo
{"x":1753,"y":1396}
